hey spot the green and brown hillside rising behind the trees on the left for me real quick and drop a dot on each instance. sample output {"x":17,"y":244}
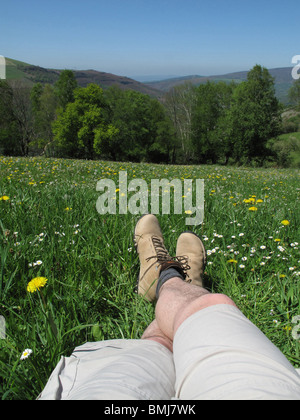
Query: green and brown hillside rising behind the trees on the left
{"x":30,"y":74}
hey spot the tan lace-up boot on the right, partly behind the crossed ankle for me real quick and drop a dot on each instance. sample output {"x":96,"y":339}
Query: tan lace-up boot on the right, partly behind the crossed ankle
{"x":191,"y":252}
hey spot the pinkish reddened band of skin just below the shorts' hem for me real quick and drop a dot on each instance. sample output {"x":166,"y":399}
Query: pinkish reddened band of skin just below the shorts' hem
{"x":199,"y":304}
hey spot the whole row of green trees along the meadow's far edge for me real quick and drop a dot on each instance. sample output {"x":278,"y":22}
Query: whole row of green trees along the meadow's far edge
{"x":212,"y":123}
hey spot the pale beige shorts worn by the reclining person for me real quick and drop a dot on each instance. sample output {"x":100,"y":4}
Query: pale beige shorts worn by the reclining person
{"x":218,"y":354}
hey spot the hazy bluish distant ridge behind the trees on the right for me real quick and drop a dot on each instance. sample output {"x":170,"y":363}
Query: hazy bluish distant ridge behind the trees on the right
{"x":283,"y":81}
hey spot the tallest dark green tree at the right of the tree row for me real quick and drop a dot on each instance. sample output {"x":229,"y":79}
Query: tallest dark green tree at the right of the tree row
{"x":254,"y":117}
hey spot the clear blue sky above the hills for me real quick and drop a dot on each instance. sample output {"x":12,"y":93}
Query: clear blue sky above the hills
{"x":151,"y":37}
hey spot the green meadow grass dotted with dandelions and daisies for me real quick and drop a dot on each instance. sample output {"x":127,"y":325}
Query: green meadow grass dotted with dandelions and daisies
{"x":49,"y":227}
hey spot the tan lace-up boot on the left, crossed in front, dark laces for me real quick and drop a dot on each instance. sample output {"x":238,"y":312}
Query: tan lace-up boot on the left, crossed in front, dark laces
{"x":153,"y":255}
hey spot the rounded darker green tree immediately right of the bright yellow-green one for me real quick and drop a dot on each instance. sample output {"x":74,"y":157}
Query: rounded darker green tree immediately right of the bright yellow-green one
{"x":144,"y":131}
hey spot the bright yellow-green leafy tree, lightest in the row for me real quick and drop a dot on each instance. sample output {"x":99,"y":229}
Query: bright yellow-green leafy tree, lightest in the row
{"x":80,"y":128}
